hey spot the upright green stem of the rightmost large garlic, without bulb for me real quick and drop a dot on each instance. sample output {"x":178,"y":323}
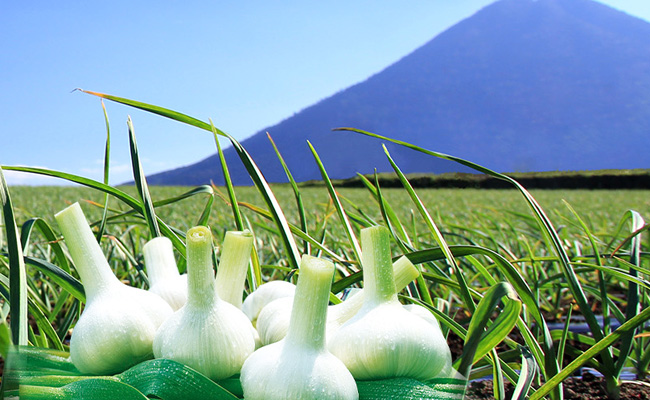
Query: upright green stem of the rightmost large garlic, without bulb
{"x":379,"y":283}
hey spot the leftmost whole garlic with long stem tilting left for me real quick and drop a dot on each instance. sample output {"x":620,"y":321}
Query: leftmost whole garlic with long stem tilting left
{"x":119,"y":322}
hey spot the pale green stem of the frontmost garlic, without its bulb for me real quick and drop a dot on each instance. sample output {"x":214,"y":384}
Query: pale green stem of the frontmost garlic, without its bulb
{"x":307,"y":325}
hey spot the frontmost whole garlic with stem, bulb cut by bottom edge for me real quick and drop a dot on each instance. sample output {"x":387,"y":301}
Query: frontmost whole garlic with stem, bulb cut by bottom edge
{"x":299,"y":366}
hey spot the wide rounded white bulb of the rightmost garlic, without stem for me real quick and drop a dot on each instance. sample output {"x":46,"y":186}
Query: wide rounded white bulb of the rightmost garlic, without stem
{"x":386,"y":341}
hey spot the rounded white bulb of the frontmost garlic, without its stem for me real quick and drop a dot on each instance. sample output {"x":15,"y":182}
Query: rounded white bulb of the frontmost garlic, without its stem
{"x":305,"y":374}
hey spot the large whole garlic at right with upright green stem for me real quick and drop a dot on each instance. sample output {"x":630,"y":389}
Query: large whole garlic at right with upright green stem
{"x":384,"y":340}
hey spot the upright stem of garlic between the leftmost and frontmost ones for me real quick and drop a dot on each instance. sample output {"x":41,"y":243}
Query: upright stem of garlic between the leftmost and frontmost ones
{"x":201,"y":290}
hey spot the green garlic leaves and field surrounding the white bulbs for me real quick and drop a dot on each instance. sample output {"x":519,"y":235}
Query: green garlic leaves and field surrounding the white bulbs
{"x":500,"y":269}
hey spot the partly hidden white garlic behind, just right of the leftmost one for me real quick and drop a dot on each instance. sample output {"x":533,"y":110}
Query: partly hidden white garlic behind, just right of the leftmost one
{"x":164,"y":278}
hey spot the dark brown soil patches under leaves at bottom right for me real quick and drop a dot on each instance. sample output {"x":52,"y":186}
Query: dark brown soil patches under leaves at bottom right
{"x":587,"y":387}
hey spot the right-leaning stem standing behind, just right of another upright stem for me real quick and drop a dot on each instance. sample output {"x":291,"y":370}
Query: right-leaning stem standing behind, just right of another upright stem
{"x":231,"y":273}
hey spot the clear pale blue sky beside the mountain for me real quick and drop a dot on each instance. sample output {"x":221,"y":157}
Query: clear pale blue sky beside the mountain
{"x":246,"y":65}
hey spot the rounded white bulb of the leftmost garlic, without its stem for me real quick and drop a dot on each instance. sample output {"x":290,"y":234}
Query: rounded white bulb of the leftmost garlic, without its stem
{"x":116,"y":330}
